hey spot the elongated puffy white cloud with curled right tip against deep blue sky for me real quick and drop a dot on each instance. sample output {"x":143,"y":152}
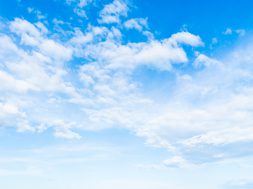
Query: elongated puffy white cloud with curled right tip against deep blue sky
{"x":159,"y":54}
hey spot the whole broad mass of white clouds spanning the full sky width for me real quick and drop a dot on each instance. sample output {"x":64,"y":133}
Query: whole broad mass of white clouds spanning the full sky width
{"x":88,"y":82}
